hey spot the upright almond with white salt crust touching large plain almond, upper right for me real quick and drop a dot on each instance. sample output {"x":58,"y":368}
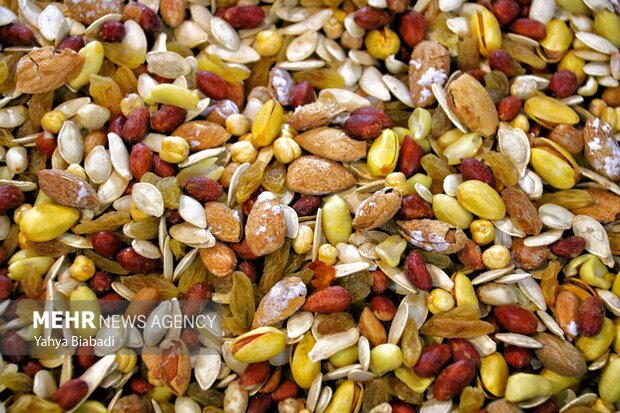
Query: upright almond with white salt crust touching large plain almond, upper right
{"x":430,"y":63}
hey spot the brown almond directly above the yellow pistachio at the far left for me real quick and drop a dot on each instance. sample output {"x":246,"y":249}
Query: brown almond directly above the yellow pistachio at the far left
{"x":67,"y":189}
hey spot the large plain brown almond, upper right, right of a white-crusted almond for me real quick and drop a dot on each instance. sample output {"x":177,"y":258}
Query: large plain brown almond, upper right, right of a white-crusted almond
{"x":471,"y":103}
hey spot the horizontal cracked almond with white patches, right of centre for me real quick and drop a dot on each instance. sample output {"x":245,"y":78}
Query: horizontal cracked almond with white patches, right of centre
{"x":432,"y":235}
